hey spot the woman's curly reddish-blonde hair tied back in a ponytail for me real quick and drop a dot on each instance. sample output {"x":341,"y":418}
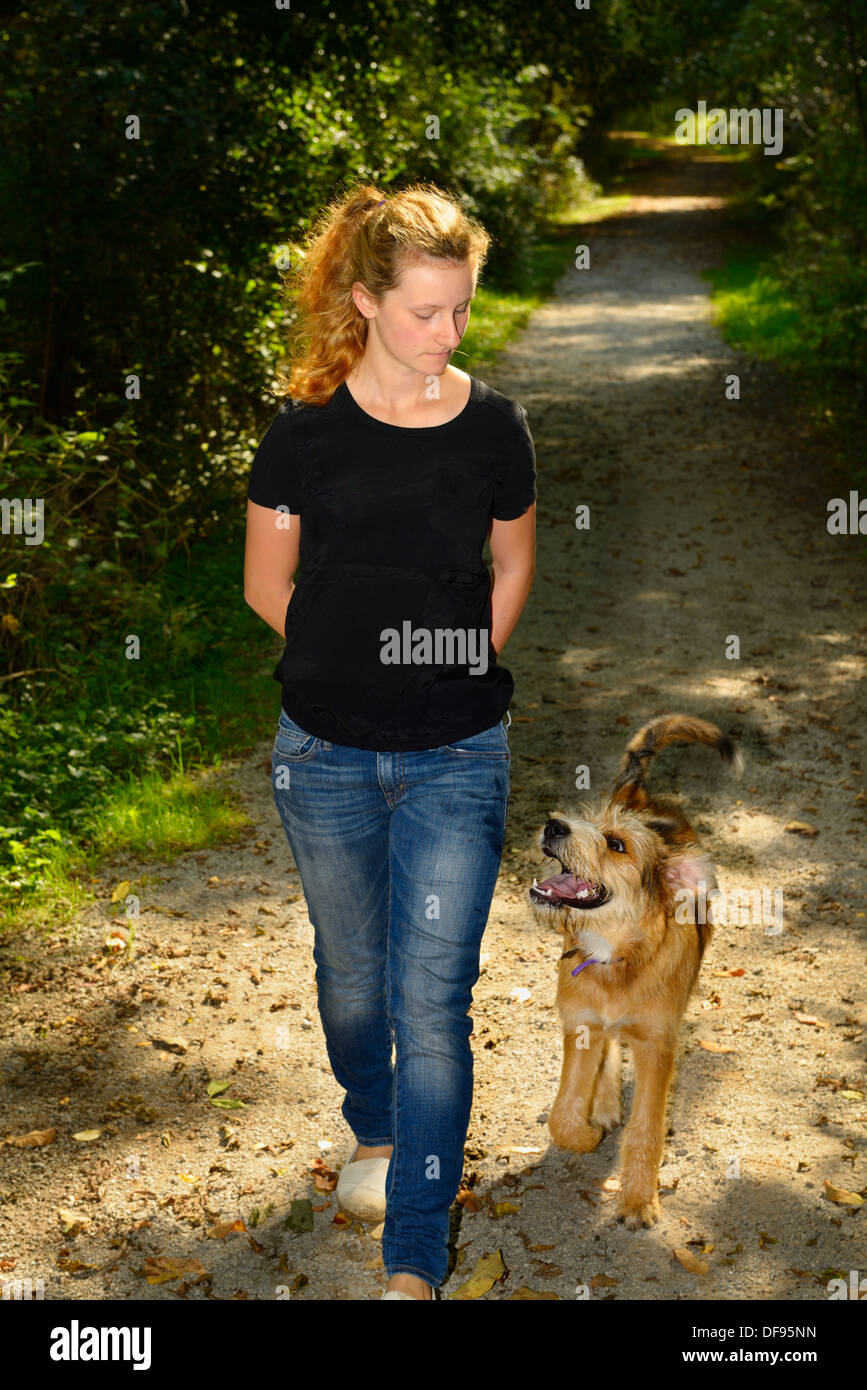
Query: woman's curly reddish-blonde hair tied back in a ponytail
{"x":370,"y":238}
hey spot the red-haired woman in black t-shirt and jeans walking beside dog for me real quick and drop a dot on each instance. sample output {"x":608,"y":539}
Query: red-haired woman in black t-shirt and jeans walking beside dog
{"x":386,"y":471}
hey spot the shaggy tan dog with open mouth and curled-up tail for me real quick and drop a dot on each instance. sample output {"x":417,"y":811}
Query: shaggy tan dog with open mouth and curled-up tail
{"x":627,"y":901}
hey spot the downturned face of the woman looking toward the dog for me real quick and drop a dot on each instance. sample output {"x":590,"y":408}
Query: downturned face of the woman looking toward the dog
{"x":422,"y":322}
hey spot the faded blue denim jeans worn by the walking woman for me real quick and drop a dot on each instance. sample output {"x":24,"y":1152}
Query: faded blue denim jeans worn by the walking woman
{"x":398,"y":856}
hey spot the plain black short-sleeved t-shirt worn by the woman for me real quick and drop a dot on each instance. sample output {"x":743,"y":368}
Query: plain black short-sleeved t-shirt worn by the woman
{"x":388,"y":630}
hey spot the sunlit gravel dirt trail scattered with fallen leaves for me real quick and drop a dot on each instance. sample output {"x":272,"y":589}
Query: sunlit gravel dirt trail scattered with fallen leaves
{"x":708,"y":521}
